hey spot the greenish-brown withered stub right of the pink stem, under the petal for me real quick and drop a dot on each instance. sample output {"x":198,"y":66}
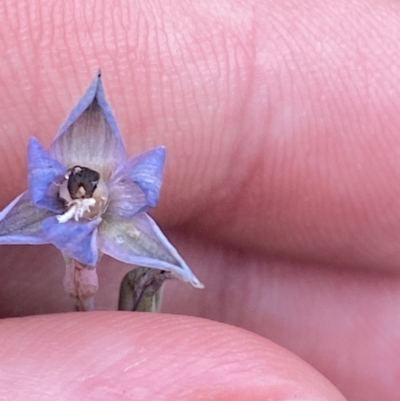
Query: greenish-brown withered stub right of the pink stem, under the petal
{"x":140,"y":289}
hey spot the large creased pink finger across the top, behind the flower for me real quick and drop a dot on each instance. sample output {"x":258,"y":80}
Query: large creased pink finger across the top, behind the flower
{"x":279,"y":117}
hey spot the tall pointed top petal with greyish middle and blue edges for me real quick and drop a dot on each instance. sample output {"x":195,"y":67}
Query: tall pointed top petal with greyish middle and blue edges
{"x":90,"y":137}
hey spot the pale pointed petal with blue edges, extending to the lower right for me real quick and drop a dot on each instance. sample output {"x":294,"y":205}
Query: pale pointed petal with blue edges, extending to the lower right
{"x":139,"y":241}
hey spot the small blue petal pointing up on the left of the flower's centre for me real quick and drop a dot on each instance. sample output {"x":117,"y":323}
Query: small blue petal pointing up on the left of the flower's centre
{"x":43,"y":173}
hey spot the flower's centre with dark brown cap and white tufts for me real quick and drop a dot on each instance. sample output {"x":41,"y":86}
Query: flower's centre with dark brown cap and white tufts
{"x":85,"y":194}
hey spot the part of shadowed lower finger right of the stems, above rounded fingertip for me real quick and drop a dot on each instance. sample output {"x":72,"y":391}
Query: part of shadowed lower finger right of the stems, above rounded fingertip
{"x":343,"y":322}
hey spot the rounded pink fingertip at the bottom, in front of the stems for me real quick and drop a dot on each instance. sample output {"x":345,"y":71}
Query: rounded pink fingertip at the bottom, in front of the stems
{"x":133,"y":356}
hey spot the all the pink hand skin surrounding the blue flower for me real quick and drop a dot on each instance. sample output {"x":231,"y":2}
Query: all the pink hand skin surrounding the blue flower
{"x":281,"y":121}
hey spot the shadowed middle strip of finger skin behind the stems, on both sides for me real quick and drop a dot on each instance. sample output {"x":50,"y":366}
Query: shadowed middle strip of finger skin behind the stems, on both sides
{"x":345,"y":323}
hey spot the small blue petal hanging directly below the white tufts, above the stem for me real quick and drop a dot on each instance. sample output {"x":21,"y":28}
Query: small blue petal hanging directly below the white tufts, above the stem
{"x":75,"y":239}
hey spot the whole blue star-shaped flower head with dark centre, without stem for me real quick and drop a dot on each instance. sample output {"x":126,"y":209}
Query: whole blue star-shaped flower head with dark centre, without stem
{"x":87,"y":197}
